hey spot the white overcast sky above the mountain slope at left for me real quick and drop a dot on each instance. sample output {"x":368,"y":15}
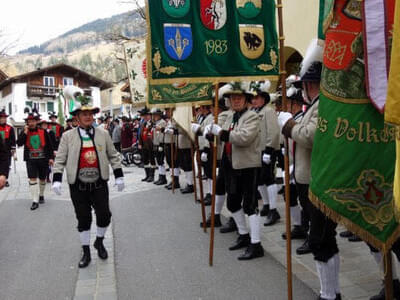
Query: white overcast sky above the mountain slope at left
{"x":35,"y":22}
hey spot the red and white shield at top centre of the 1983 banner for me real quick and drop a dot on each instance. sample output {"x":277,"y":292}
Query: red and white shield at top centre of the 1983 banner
{"x":213,"y":13}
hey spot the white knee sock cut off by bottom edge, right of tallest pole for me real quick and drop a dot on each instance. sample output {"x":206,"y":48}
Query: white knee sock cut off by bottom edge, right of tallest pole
{"x":326,"y":274}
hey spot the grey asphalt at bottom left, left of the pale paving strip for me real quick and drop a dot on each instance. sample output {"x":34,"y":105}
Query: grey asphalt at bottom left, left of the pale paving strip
{"x":38,"y":257}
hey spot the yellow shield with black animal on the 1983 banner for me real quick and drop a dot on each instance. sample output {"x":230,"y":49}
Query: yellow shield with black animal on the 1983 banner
{"x":252,"y":42}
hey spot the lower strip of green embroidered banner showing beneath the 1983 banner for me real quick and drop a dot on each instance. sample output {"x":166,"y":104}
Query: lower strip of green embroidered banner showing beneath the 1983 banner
{"x":167,"y":94}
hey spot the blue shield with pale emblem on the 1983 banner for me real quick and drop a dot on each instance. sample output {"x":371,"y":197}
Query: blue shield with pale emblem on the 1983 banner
{"x":178,"y":40}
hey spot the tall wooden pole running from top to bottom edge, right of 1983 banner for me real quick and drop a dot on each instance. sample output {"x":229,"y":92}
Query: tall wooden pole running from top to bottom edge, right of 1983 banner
{"x":287,"y":174}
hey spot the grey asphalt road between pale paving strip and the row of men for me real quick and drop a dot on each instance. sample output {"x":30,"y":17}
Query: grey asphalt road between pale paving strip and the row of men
{"x":161,"y":253}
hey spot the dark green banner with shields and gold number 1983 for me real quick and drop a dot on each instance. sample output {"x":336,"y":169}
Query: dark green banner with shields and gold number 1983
{"x":211,"y":40}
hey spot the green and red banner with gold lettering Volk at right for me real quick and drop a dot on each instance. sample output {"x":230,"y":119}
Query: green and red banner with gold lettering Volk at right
{"x":353,"y":158}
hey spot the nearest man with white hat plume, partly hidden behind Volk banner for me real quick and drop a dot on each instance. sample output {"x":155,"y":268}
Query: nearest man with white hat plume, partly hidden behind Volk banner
{"x":322,"y":237}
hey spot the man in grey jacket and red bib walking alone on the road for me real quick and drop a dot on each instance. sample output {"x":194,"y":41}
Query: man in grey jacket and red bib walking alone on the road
{"x":86,"y":153}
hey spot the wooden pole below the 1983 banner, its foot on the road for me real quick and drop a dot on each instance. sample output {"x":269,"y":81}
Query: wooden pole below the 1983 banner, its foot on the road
{"x":211,"y":254}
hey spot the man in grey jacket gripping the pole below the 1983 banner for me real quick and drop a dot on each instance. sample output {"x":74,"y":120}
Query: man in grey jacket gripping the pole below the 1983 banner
{"x":241,"y":163}
